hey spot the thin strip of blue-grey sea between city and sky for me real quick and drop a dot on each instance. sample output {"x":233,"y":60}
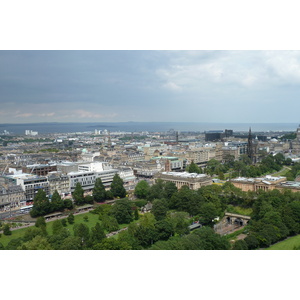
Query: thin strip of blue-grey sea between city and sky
{"x":144,"y":126}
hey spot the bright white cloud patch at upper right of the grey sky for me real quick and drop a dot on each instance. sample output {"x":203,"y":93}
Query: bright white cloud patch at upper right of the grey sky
{"x":250,"y":70}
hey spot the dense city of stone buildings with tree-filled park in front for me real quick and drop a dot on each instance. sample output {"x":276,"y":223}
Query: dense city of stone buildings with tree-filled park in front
{"x":217,"y":189}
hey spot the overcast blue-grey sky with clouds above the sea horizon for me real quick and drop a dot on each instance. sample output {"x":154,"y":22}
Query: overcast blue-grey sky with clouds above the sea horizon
{"x":180,"y":86}
